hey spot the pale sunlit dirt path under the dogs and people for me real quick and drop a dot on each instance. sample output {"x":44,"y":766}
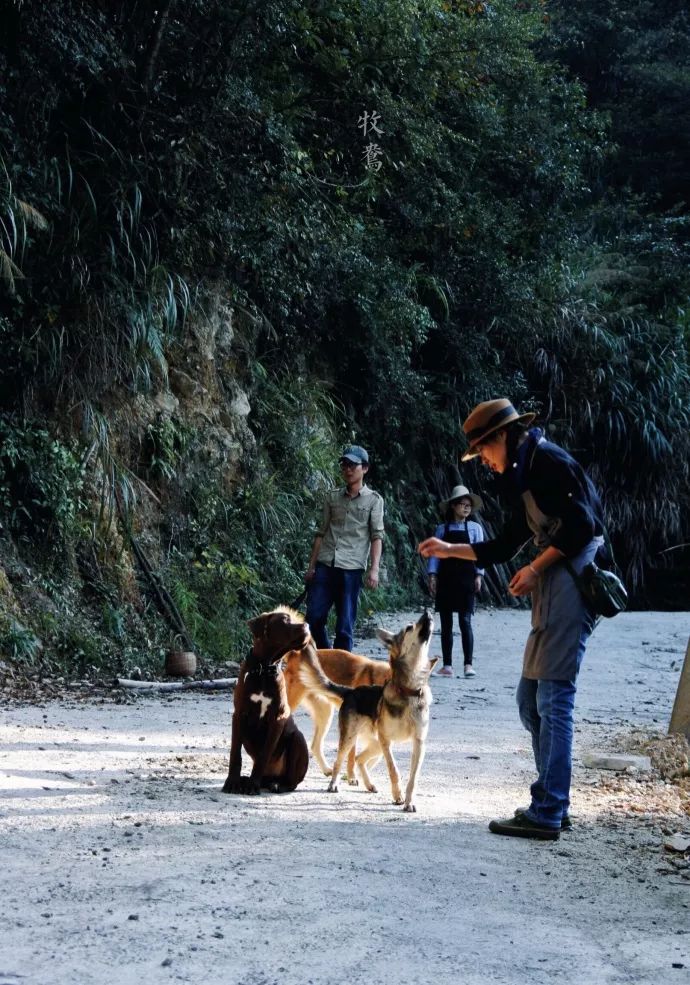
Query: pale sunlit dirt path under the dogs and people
{"x":121,"y":862}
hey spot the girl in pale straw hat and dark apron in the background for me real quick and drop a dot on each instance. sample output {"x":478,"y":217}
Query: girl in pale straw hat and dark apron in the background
{"x":453,"y":583}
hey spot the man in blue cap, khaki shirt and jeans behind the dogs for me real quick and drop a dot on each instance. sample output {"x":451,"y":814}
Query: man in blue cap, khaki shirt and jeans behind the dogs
{"x":351,"y":527}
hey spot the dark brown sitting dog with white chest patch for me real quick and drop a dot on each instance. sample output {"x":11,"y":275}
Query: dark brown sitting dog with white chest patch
{"x":261,"y":720}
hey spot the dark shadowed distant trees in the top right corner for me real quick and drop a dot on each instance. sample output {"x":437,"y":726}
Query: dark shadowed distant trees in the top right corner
{"x":634,"y":57}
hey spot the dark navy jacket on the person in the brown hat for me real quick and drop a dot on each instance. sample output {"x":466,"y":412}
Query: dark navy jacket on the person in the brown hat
{"x":561,"y":489}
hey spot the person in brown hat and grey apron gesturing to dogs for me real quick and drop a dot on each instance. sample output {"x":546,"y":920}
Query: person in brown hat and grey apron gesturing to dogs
{"x":553,"y":502}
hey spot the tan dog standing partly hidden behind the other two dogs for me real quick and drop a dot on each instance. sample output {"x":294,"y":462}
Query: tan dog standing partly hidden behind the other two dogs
{"x":341,"y":667}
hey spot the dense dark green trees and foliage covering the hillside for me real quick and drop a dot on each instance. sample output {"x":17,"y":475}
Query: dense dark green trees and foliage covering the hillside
{"x":407,"y":206}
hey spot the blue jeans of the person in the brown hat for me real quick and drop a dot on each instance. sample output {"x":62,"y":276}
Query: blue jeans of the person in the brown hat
{"x":546,"y":710}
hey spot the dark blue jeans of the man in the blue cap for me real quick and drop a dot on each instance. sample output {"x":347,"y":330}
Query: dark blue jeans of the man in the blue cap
{"x":339,"y":587}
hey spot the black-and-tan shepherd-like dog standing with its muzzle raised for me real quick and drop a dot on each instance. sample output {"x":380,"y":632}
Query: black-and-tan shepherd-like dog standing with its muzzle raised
{"x":397,"y":711}
